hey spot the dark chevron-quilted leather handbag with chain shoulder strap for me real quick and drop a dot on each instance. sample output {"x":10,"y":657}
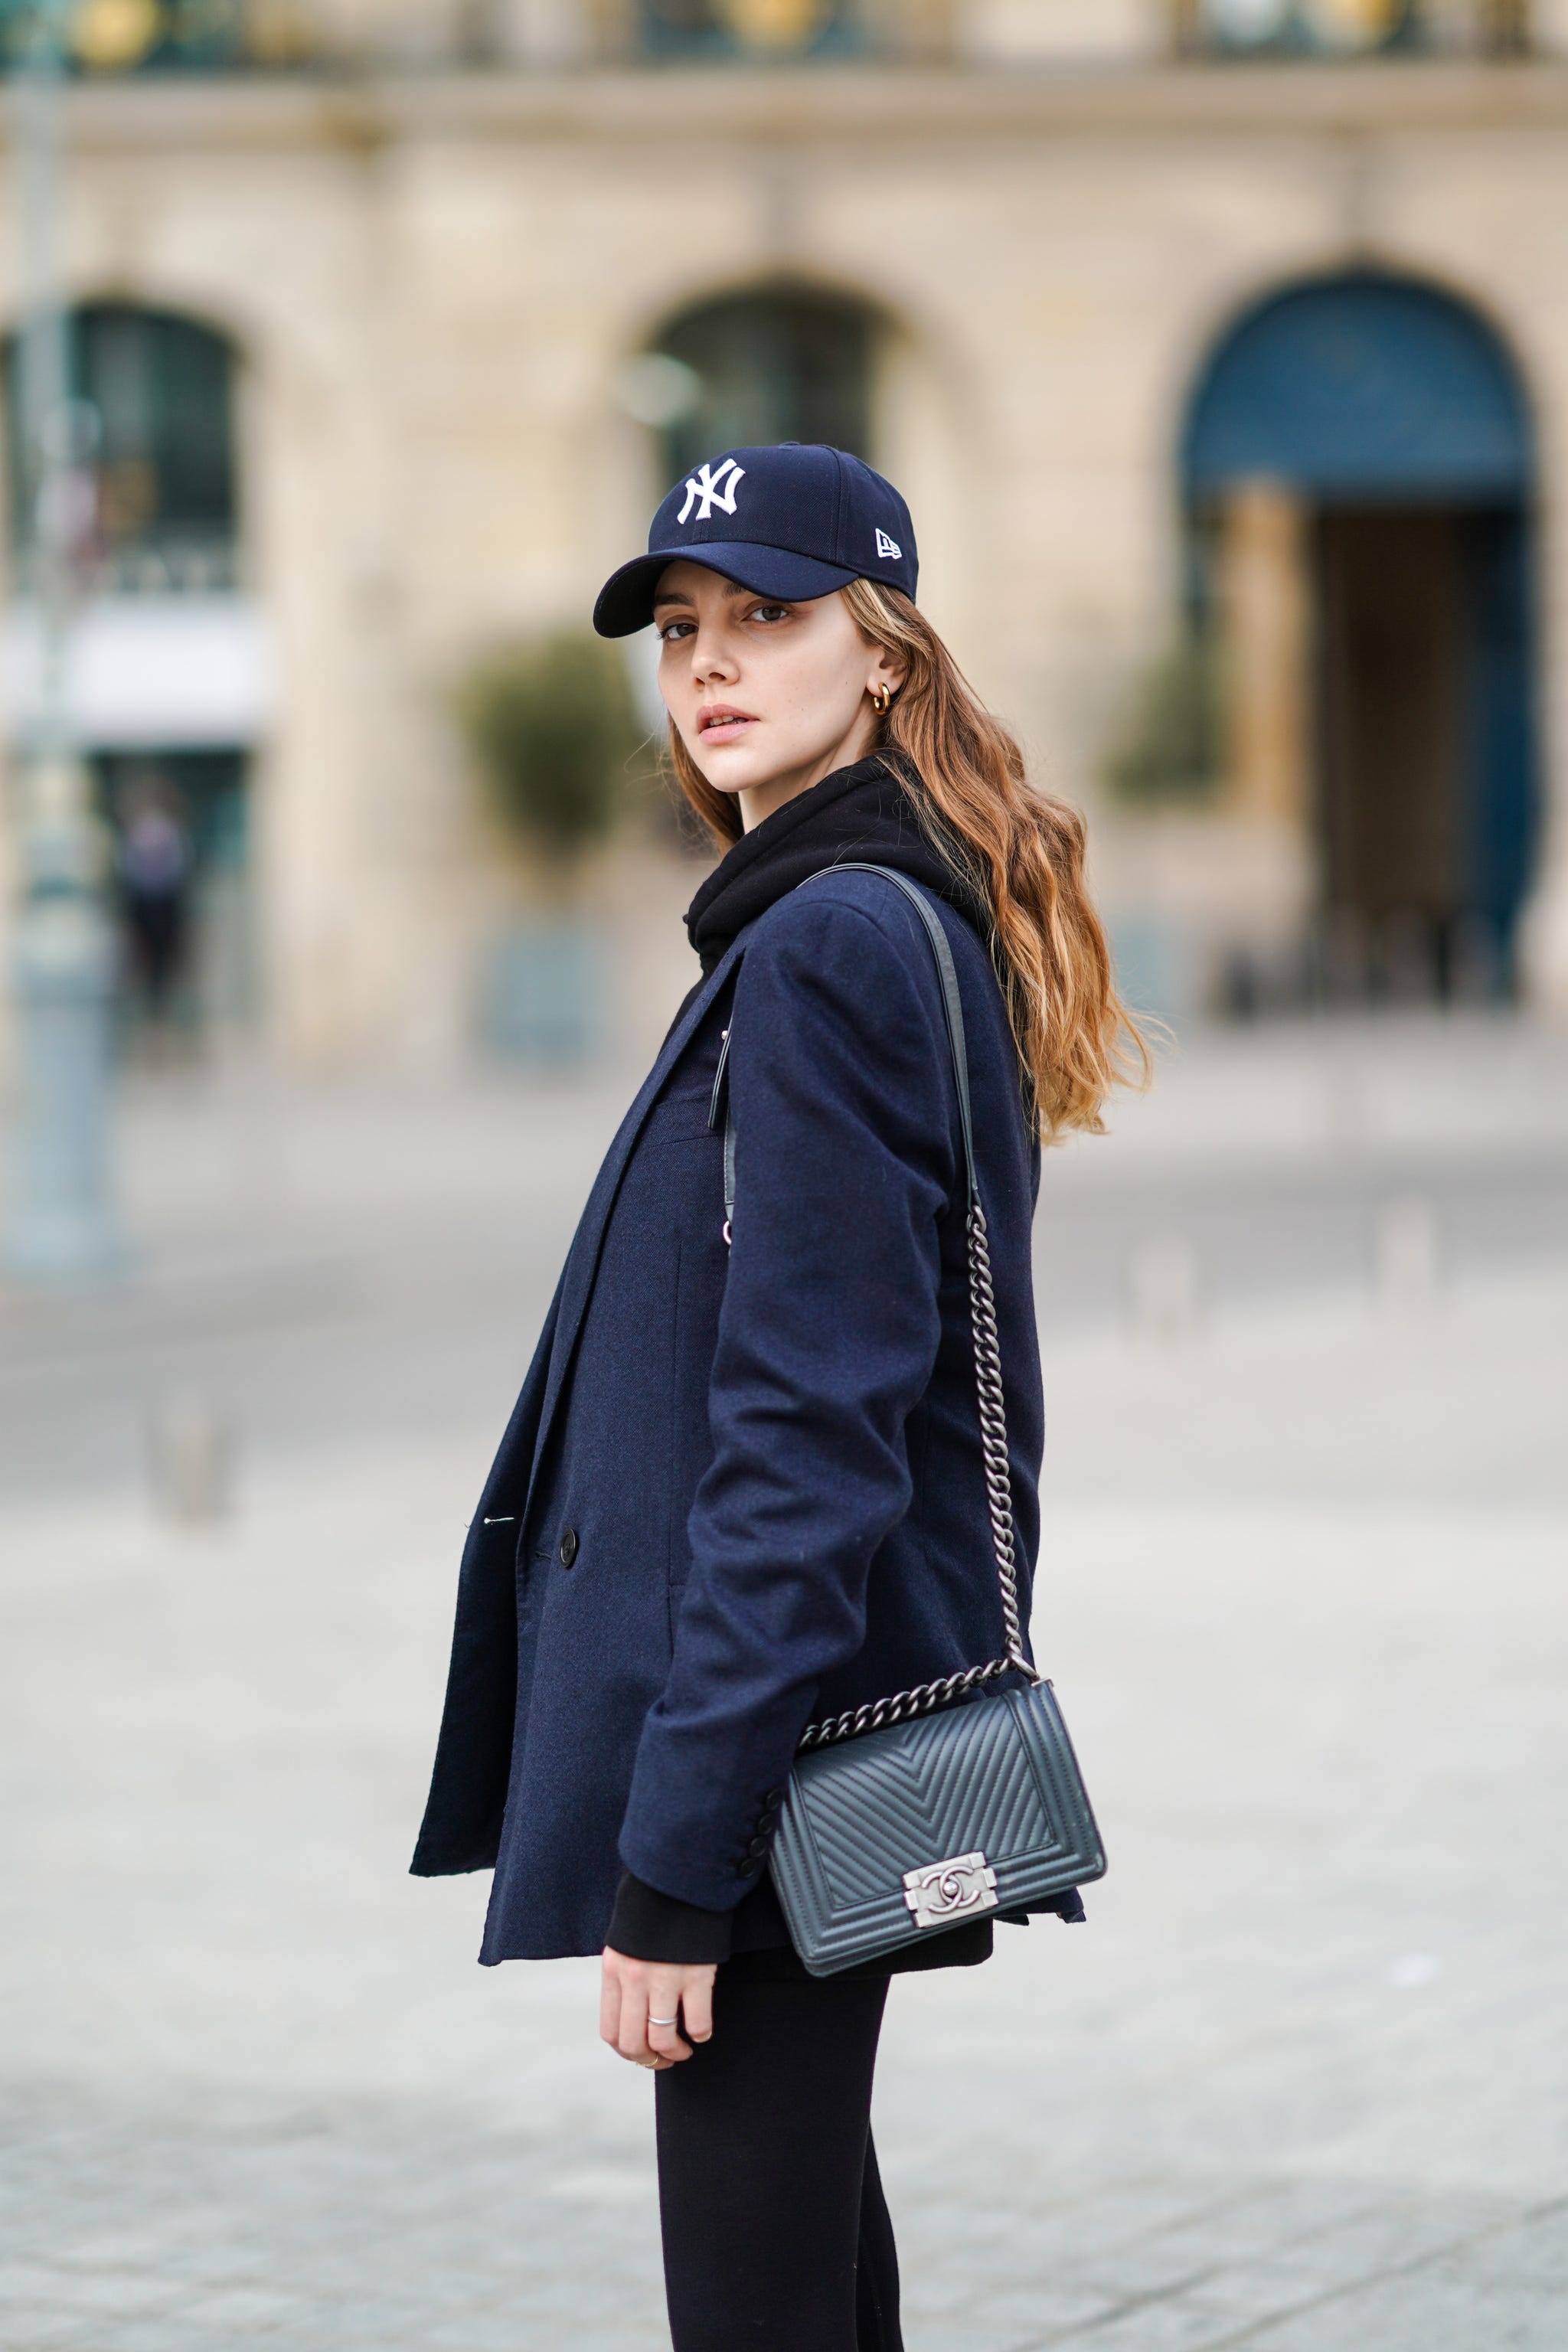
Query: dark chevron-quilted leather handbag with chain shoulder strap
{"x":939,"y":1805}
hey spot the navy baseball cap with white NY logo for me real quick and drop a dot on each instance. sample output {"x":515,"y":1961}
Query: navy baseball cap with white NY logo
{"x":791,"y":521}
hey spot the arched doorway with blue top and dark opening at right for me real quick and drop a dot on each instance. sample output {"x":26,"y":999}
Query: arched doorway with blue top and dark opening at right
{"x":1372,"y":436}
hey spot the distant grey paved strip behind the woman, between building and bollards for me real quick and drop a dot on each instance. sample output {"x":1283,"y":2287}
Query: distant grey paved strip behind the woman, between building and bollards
{"x":344,"y":1264}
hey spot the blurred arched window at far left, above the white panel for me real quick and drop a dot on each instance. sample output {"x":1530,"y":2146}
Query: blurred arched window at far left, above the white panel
{"x":152,"y":429}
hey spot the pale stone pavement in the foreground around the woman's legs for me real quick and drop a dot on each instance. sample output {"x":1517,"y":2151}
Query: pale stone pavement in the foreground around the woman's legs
{"x":1301,"y":2085}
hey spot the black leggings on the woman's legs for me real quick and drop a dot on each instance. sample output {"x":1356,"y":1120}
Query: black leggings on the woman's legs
{"x":777,"y":2233}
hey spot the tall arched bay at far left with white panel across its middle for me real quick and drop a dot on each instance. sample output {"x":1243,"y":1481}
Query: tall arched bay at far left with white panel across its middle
{"x":166,"y":662}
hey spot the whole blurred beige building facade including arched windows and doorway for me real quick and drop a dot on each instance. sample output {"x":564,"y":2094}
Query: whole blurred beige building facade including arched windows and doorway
{"x":1221,"y":349}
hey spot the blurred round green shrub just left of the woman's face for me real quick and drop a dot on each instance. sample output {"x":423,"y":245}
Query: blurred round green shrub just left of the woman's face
{"x":551,"y":726}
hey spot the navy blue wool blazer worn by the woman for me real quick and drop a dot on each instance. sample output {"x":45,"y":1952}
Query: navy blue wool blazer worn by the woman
{"x":744,"y":1488}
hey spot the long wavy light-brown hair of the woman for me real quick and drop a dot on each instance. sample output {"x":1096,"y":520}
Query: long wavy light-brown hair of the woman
{"x":1017,"y":848}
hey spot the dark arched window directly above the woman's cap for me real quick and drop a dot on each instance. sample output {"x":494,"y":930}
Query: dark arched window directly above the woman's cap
{"x":784,"y":363}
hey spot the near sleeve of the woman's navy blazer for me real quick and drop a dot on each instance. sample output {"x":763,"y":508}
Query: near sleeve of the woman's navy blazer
{"x":829,"y":1332}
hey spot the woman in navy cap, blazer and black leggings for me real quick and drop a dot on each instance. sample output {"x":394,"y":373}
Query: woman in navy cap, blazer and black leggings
{"x":742,"y":1485}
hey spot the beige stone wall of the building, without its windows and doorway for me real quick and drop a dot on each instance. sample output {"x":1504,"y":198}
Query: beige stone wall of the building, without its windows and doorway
{"x":438,"y":279}
